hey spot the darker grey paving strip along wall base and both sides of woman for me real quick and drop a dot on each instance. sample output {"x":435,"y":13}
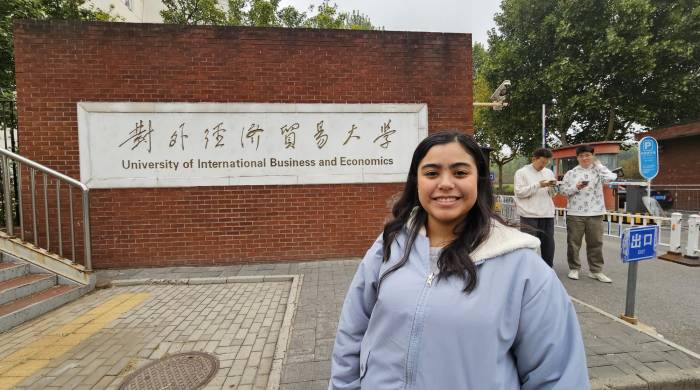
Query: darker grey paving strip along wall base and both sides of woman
{"x":619,"y":356}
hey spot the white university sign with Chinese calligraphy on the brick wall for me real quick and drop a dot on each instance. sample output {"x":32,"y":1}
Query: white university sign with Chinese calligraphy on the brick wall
{"x":126,"y":145}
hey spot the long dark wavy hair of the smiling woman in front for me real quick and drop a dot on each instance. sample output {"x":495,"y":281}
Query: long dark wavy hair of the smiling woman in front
{"x":455,"y":258}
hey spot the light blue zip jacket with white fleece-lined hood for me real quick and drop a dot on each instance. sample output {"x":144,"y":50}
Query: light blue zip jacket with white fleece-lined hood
{"x":516,"y":330}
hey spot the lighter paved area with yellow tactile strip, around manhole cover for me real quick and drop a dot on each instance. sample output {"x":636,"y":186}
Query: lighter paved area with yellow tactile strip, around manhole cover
{"x":94,"y":343}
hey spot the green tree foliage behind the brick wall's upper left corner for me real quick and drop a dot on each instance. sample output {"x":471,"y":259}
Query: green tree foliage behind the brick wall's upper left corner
{"x":11,"y":10}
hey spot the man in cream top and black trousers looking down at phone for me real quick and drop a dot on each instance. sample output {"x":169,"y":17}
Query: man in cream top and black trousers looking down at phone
{"x":533,"y":197}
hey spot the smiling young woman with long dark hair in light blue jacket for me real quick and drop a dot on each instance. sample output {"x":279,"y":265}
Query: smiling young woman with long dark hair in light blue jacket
{"x":449,"y":298}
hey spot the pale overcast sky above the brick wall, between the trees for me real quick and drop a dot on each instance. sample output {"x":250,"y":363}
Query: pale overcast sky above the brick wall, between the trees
{"x":463,"y":16}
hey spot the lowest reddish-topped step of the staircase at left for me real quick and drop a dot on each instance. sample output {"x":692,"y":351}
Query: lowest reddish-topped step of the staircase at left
{"x":24,"y":309}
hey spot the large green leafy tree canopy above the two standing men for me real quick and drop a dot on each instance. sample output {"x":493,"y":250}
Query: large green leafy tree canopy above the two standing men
{"x":610,"y":65}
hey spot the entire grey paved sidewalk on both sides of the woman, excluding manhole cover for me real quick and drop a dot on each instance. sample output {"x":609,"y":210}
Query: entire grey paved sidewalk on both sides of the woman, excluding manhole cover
{"x":241,"y":324}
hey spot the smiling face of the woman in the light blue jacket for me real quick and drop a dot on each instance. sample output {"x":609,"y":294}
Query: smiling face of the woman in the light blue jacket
{"x":447,"y":184}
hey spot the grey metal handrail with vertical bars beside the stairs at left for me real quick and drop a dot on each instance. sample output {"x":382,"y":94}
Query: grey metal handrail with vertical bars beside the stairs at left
{"x":33,"y":167}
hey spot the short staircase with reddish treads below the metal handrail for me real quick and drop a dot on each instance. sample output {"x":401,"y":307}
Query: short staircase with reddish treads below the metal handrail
{"x":28,"y":291}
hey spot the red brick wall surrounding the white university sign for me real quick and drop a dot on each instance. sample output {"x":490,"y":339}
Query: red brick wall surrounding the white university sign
{"x":59,"y":64}
